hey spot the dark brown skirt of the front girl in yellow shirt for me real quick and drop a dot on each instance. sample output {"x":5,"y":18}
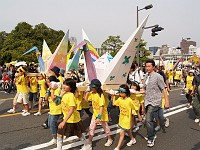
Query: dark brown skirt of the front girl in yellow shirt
{"x":72,"y":129}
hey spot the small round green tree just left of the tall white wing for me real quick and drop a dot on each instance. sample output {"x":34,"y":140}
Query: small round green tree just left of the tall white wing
{"x":113,"y":43}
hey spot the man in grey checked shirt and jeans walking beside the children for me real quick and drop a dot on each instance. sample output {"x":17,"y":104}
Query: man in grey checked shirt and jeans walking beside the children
{"x":153,"y":87}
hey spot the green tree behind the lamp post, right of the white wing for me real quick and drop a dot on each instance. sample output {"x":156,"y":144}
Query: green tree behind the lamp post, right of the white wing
{"x":144,"y":53}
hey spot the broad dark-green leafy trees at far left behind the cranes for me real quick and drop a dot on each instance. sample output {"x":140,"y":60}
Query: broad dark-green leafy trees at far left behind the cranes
{"x":24,"y":37}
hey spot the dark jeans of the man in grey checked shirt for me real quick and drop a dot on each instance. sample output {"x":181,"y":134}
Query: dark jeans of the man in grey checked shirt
{"x":151,"y":111}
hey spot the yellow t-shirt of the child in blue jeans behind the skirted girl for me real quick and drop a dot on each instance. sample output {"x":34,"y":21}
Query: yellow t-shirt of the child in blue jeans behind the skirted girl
{"x":53,"y":107}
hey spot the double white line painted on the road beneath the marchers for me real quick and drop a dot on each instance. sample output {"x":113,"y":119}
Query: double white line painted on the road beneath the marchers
{"x":79,"y":143}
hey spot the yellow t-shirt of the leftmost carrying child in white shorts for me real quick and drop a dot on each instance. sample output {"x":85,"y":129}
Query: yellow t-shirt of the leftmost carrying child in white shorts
{"x":22,"y":84}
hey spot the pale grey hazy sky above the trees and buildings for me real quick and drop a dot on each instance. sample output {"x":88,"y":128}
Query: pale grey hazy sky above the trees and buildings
{"x":103,"y":18}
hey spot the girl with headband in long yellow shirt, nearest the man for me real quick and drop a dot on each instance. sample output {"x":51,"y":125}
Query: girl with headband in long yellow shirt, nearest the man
{"x":126,"y":106}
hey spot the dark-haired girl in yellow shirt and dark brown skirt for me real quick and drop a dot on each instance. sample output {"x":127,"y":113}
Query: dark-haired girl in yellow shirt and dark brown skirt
{"x":71,"y":124}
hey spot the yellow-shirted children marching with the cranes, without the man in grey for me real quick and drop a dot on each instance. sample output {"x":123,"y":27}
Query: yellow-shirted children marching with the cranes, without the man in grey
{"x":66,"y":104}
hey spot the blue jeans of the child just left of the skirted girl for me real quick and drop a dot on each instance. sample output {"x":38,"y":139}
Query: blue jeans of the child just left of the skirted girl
{"x":53,"y":124}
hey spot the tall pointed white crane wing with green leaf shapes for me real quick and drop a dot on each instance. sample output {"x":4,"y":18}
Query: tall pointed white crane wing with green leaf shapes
{"x":117,"y":70}
